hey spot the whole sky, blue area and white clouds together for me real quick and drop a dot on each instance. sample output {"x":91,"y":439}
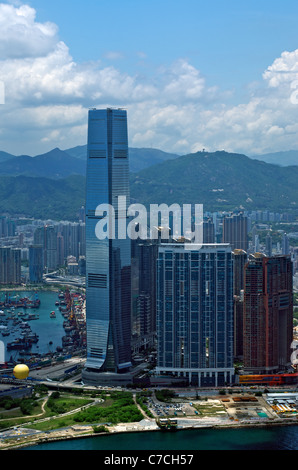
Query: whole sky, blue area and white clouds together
{"x":192,"y":74}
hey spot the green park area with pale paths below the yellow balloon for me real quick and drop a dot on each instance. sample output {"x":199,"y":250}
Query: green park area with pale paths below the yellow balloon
{"x":45,"y":412}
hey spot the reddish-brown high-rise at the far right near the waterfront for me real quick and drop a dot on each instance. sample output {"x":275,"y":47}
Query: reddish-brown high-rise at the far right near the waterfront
{"x":268,"y":314}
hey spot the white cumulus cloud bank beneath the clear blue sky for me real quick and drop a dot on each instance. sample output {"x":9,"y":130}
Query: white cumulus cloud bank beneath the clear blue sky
{"x":48,"y":95}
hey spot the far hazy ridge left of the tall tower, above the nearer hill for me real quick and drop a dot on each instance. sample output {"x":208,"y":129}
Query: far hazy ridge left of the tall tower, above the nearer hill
{"x":54,"y":164}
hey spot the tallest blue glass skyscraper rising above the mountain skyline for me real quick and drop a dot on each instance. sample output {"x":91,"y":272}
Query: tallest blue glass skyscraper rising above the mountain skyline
{"x":108,"y":261}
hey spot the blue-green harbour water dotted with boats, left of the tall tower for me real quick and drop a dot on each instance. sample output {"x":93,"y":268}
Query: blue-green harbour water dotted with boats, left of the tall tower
{"x":50,"y":330}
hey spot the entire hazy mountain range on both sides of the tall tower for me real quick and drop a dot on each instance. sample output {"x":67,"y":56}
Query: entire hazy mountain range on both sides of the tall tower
{"x":53,"y":185}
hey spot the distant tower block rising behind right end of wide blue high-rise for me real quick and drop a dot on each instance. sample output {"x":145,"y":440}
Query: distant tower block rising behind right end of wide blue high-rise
{"x":235,"y":231}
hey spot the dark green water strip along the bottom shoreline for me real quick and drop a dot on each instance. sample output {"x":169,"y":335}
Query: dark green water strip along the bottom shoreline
{"x":269,"y":438}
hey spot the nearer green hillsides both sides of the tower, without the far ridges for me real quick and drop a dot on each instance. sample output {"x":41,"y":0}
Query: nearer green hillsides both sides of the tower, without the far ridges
{"x":219,"y":181}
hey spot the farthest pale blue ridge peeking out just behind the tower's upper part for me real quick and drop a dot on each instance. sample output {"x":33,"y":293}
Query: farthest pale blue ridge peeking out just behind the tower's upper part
{"x":139,"y":159}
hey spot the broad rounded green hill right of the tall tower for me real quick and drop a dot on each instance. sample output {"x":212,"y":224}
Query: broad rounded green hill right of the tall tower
{"x":220,"y":181}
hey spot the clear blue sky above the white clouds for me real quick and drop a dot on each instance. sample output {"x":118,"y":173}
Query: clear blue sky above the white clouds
{"x":232,"y":42}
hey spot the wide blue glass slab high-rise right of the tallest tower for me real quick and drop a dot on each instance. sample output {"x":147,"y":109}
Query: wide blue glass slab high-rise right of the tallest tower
{"x":195,"y":313}
